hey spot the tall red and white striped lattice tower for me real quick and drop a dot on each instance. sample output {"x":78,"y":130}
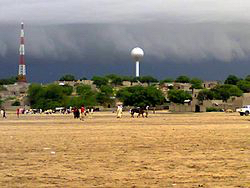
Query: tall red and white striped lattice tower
{"x":22,"y":68}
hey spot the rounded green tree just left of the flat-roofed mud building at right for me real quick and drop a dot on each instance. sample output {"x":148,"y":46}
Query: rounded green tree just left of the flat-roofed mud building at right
{"x":178,"y":96}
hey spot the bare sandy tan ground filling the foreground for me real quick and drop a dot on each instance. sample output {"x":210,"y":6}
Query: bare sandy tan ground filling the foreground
{"x":165,"y":150}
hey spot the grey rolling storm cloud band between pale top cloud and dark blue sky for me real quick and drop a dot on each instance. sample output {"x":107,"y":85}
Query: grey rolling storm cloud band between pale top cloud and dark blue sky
{"x":192,"y":42}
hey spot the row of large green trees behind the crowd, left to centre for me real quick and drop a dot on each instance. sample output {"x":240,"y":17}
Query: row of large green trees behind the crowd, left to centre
{"x":52,"y":96}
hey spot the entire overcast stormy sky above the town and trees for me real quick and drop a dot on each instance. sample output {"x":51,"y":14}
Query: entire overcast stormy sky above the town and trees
{"x":86,"y":37}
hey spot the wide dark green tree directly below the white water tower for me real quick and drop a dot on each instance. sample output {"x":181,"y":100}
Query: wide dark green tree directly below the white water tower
{"x":140,"y":96}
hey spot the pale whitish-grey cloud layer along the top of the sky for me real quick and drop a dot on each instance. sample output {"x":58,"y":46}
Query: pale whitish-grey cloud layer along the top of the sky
{"x":89,"y":11}
